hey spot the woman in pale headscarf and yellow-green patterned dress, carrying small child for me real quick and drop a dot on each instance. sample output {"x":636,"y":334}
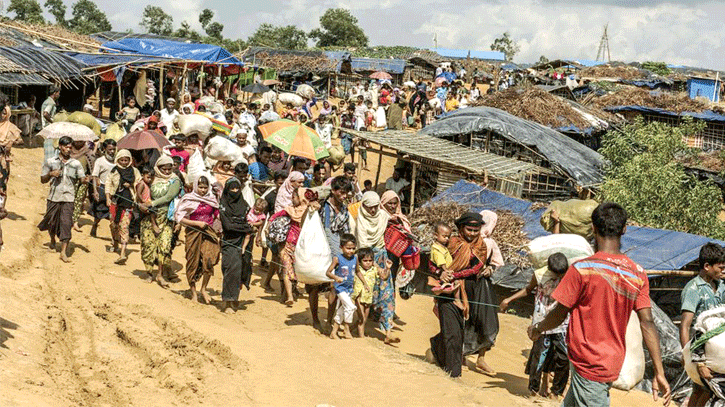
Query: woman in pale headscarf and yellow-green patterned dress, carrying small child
{"x":156,"y":248}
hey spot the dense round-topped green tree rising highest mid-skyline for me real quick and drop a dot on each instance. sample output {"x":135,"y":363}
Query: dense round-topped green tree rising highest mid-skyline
{"x":339,"y":28}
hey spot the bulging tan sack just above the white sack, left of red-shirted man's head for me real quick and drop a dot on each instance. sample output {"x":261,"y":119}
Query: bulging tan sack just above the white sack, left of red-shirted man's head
{"x":575,"y":216}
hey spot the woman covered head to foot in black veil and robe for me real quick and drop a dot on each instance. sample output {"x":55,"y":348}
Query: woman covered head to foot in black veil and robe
{"x":236,"y":266}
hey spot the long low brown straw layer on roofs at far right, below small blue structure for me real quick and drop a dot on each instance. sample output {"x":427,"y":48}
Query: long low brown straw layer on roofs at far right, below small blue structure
{"x":674,"y":102}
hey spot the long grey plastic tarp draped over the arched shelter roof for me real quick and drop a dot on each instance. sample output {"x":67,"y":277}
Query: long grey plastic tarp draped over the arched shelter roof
{"x":580,"y":162}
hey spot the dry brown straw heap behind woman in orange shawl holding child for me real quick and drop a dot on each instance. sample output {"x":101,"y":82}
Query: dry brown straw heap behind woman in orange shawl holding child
{"x":508,"y":232}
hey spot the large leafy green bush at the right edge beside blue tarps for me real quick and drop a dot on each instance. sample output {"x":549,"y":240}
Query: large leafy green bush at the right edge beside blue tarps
{"x":645,"y":177}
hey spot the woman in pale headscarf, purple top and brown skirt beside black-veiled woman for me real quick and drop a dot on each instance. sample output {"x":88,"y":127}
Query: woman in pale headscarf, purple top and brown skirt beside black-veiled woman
{"x":199,"y":212}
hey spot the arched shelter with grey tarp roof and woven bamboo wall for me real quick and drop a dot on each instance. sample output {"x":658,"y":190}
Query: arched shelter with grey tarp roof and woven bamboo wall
{"x":568,"y":164}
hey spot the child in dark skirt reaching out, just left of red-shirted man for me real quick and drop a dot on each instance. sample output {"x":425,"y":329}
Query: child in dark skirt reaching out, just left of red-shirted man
{"x":548,"y":353}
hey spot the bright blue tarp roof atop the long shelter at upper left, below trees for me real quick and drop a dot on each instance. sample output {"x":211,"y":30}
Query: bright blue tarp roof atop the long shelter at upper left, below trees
{"x":173,"y":49}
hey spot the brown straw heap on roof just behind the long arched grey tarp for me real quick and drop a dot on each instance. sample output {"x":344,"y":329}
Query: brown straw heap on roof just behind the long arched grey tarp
{"x":536,"y":105}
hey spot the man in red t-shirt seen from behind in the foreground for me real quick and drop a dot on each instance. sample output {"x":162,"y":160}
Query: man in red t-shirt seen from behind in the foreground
{"x":600,"y":292}
